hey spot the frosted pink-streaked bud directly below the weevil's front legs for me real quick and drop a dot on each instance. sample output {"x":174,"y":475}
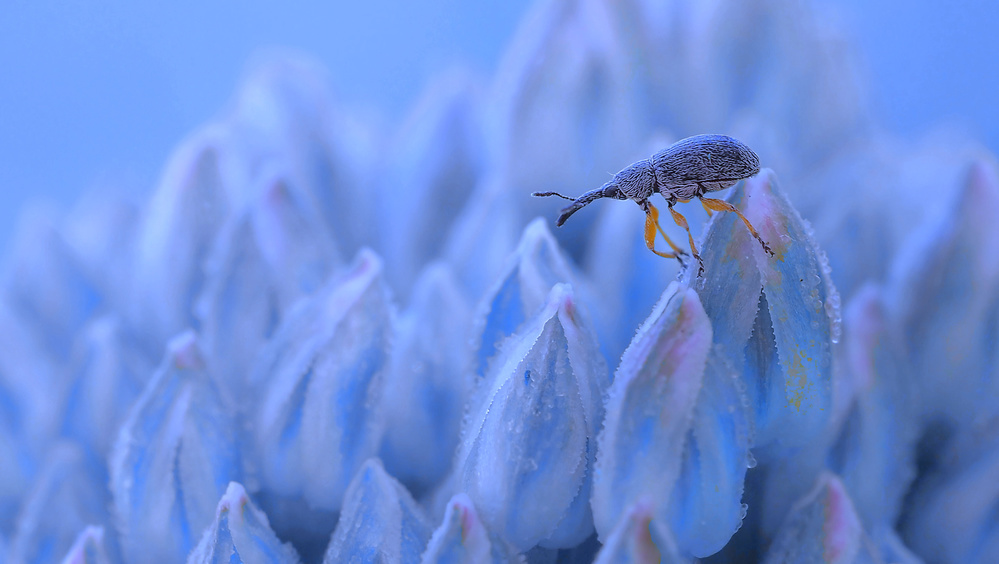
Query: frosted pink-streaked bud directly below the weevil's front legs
{"x":675,"y":436}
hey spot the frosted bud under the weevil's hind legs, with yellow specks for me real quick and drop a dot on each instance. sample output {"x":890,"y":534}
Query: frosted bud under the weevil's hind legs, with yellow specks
{"x":783,"y":337}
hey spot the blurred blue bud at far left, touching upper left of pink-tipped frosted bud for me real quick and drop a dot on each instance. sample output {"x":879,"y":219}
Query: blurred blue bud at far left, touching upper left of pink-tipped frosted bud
{"x":107,"y":372}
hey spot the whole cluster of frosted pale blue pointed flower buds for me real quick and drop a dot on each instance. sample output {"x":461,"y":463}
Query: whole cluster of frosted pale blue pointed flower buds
{"x":320,"y":343}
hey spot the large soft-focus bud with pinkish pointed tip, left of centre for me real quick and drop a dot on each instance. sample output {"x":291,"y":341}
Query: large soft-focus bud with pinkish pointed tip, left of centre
{"x":320,"y":382}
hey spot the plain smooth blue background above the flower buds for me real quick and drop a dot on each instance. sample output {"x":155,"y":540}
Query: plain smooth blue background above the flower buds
{"x":96,"y":94}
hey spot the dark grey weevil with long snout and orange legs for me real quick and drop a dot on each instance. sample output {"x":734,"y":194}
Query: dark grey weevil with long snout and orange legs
{"x":687,"y":169}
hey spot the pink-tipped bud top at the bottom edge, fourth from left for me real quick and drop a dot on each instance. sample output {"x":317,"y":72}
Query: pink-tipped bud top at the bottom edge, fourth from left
{"x":462,"y":538}
